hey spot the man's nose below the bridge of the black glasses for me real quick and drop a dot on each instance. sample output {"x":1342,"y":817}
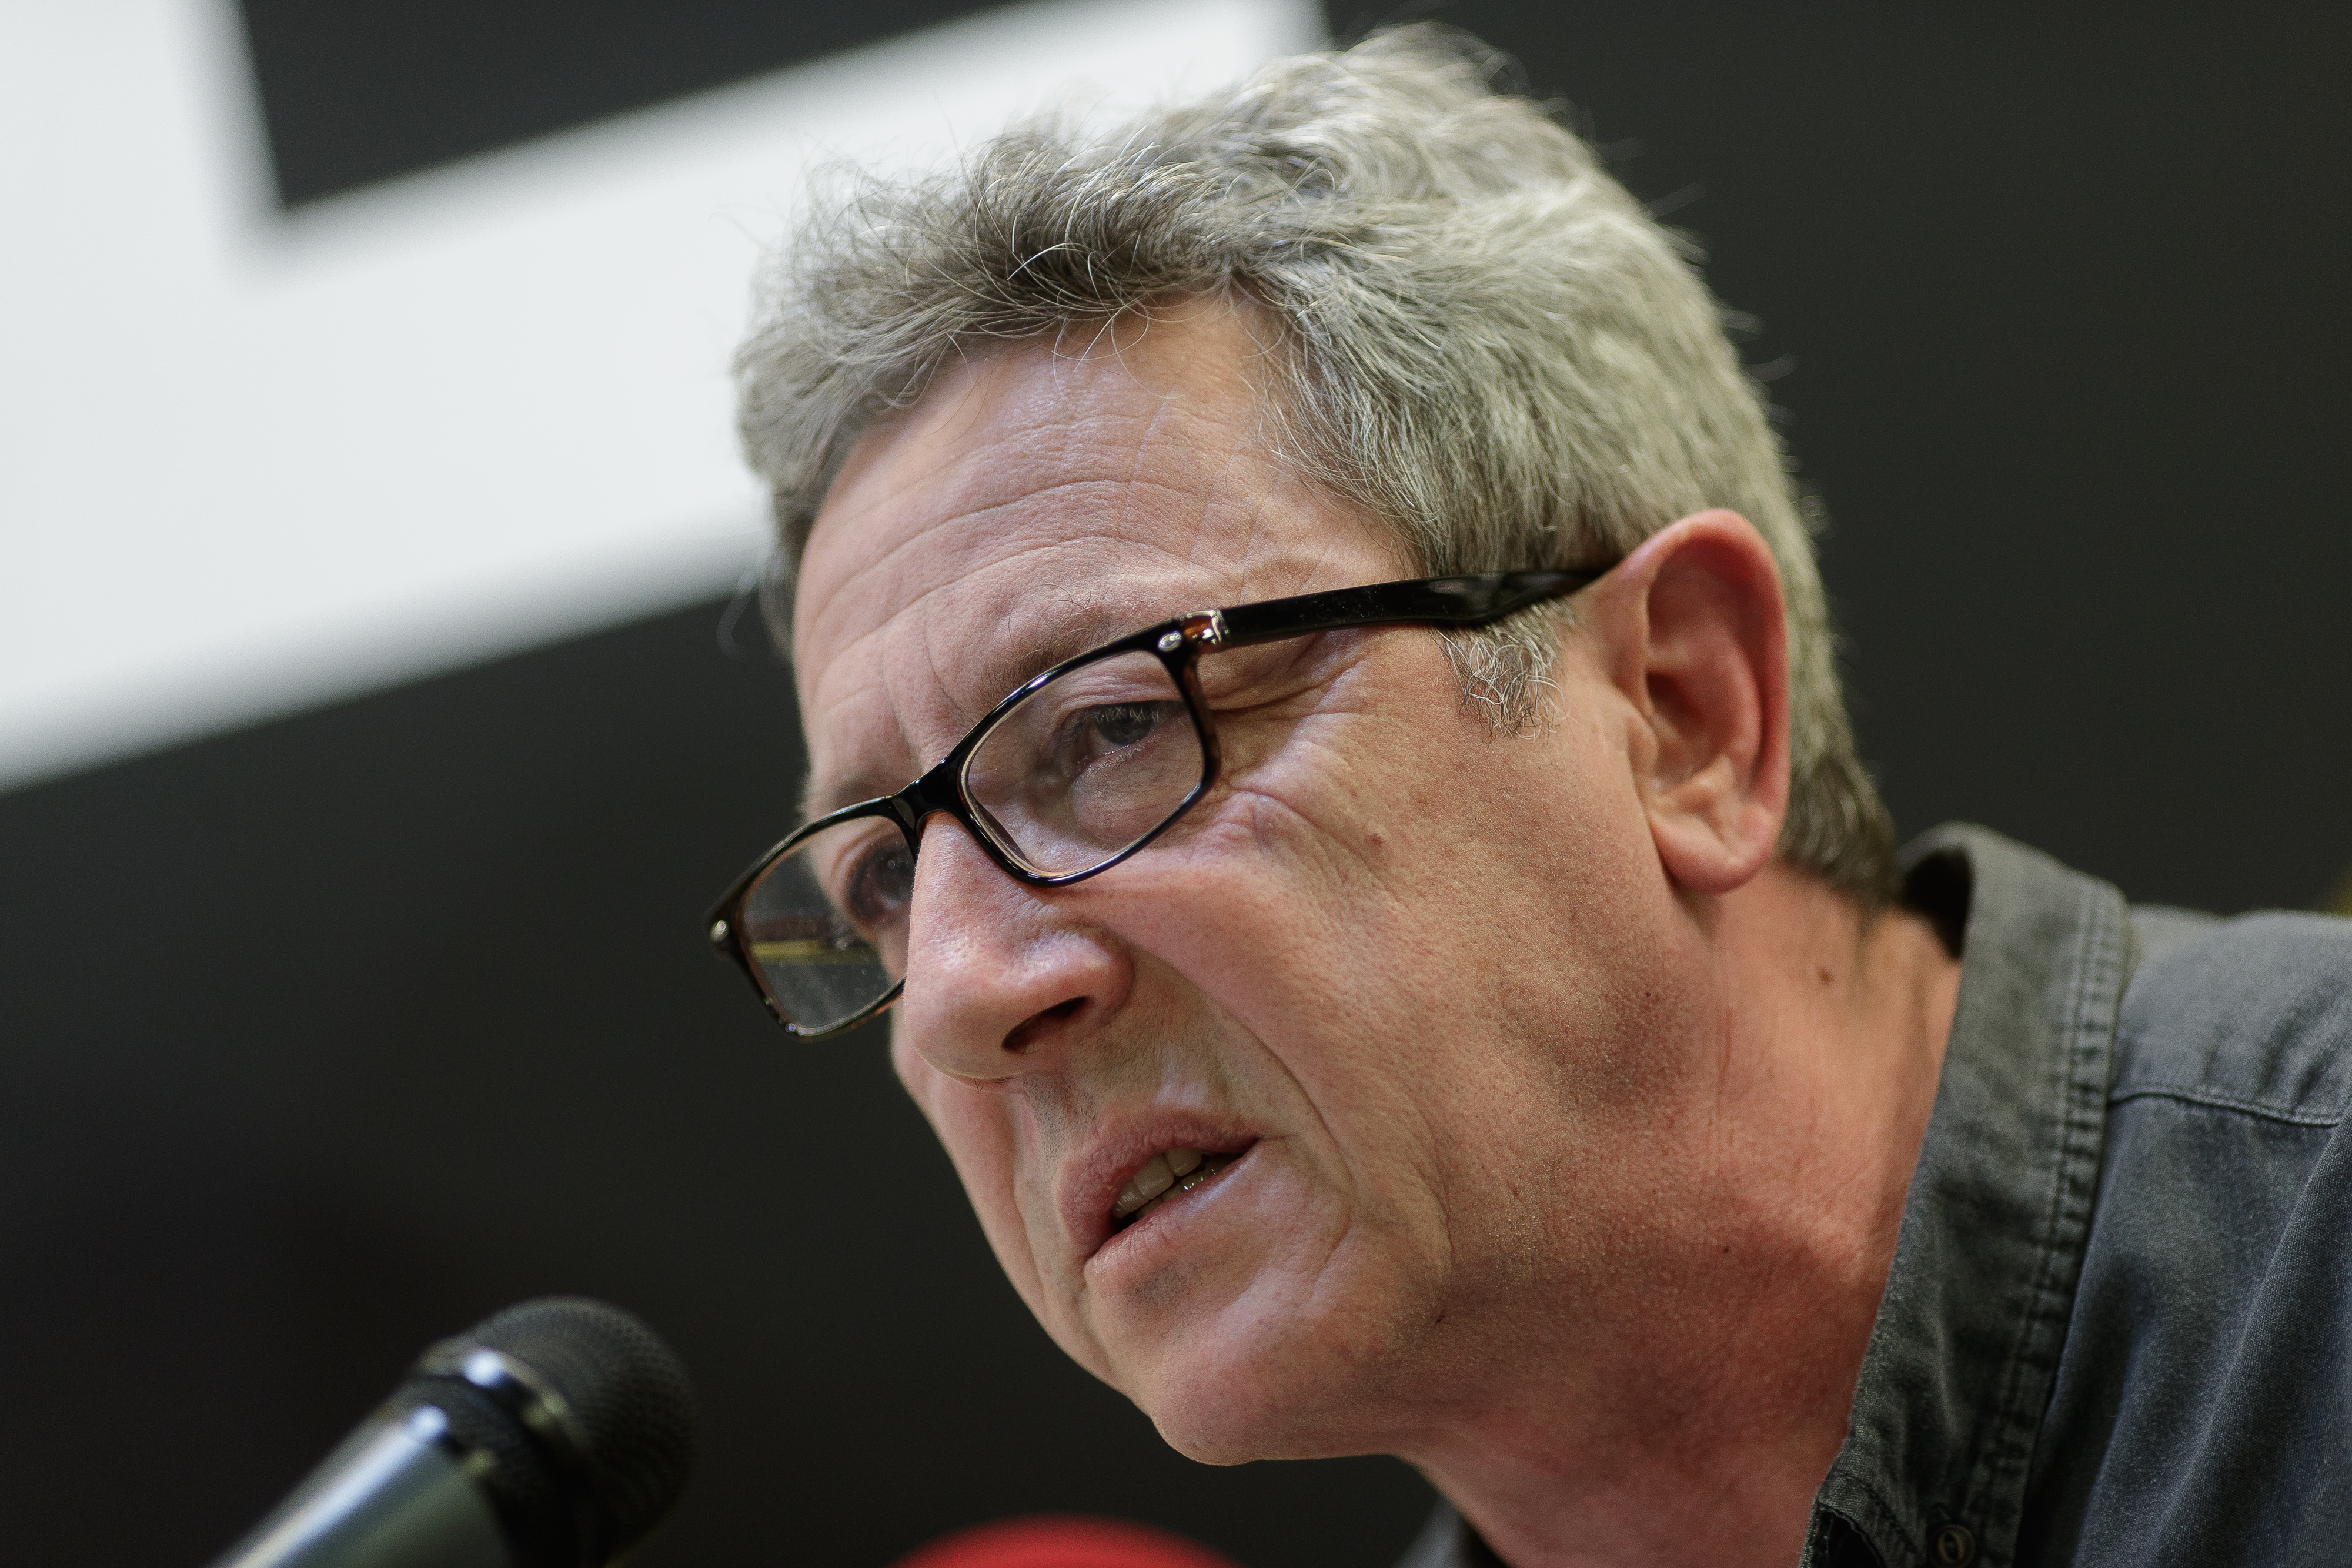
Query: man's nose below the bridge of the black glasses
{"x":998,"y":974}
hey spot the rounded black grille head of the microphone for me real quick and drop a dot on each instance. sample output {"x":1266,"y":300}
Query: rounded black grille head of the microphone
{"x":632,"y":1421}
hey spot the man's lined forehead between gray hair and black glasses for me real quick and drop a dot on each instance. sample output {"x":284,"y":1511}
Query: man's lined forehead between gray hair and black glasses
{"x":1029,"y":507}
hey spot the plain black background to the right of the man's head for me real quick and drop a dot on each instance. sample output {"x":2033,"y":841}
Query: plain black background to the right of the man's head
{"x":2059,"y":300}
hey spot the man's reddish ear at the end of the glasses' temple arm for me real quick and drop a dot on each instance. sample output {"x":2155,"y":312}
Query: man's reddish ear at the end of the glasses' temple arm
{"x":1695,"y":636}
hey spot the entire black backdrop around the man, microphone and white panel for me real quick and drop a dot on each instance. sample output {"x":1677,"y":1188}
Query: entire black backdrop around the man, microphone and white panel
{"x":338,"y":1033}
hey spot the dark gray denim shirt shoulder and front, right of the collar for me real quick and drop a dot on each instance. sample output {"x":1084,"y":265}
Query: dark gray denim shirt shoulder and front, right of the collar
{"x":2198,"y":1407}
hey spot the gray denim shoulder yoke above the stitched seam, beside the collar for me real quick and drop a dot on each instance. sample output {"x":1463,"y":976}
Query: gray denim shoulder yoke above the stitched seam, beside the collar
{"x":2247,"y":1014}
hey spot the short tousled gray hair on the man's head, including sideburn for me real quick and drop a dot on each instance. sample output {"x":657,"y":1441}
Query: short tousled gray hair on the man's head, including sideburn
{"x":1483,"y":340}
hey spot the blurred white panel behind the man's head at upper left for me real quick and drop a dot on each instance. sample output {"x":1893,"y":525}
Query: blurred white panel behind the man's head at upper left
{"x":255,"y":462}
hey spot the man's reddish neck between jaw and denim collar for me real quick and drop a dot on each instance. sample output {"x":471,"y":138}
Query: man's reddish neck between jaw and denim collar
{"x":1725,"y":1374}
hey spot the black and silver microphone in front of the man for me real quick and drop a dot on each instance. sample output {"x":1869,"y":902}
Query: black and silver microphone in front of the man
{"x":552,"y":1435}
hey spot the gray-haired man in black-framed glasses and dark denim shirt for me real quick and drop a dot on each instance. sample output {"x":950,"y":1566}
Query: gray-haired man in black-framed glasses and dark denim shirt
{"x":1391,"y":927}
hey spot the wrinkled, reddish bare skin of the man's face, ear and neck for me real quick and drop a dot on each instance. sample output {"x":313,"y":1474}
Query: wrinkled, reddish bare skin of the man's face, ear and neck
{"x":1577,"y":1130}
